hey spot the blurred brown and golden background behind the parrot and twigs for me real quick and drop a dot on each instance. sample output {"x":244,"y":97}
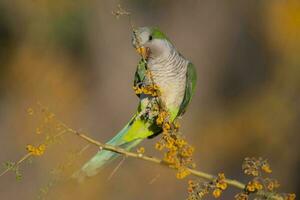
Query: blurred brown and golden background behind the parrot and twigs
{"x":76,"y":58}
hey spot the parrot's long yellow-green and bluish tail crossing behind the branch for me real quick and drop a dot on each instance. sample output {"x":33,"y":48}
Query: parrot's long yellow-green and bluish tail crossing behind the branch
{"x":130,"y":136}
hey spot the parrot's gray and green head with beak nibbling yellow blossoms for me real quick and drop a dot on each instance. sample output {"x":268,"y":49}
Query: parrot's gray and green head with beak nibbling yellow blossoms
{"x":151,"y":42}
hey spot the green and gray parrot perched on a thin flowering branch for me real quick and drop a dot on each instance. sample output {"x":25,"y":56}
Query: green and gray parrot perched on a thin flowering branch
{"x":175,"y":77}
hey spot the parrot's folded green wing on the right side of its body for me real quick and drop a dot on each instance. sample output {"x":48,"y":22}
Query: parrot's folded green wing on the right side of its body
{"x":191,"y":79}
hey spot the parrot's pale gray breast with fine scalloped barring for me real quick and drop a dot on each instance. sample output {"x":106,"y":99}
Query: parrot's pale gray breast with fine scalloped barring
{"x":169,"y":73}
